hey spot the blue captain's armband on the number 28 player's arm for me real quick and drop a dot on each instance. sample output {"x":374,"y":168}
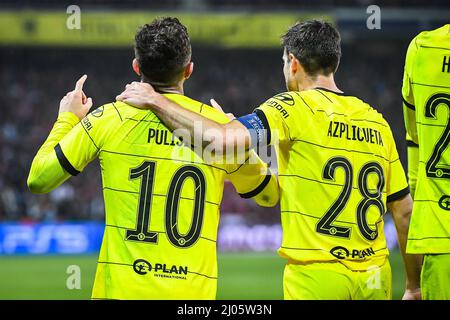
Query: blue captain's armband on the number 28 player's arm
{"x":258,"y":126}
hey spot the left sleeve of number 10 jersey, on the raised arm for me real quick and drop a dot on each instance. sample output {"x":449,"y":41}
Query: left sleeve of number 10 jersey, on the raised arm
{"x":84,"y":142}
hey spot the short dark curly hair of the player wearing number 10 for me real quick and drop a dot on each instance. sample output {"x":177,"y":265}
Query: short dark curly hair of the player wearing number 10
{"x":163,"y":50}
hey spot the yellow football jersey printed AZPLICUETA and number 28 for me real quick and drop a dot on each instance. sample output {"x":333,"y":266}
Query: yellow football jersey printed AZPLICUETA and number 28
{"x":338,"y":167}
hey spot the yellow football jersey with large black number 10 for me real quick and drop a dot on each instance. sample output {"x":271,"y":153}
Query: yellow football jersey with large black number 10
{"x":161,"y":200}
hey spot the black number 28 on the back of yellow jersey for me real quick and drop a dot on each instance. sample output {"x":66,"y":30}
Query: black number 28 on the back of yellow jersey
{"x":370,"y":198}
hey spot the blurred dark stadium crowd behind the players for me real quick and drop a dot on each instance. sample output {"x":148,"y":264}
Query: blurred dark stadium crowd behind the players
{"x":33,"y":81}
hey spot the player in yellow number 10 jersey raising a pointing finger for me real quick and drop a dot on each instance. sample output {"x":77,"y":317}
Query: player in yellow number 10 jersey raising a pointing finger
{"x":161,"y":198}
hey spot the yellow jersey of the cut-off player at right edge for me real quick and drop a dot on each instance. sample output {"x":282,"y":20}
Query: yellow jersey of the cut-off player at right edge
{"x":426,"y":101}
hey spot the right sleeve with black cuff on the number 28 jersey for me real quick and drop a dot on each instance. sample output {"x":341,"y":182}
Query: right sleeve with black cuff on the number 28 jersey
{"x":396,"y":184}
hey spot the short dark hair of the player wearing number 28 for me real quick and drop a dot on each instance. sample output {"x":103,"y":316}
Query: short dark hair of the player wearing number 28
{"x":316,"y":44}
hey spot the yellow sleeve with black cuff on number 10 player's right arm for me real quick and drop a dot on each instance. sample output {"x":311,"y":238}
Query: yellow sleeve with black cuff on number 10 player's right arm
{"x":254,"y":179}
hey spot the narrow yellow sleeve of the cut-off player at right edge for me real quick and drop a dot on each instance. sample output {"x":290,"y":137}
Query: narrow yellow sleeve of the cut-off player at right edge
{"x":409,"y":108}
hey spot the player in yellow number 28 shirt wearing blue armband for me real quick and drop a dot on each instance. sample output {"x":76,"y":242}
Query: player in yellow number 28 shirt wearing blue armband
{"x":339,"y":171}
